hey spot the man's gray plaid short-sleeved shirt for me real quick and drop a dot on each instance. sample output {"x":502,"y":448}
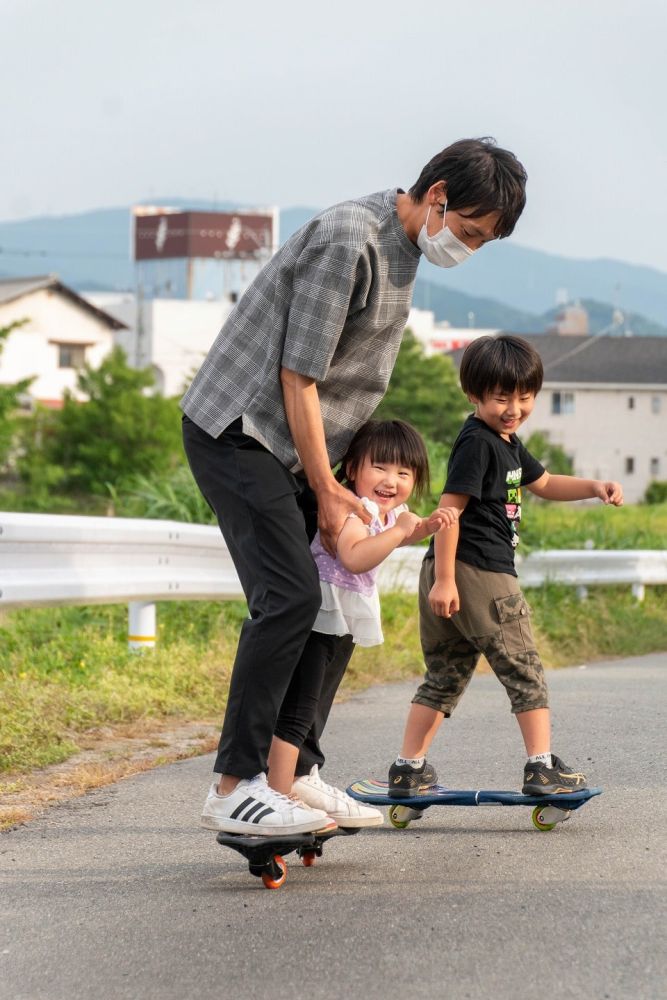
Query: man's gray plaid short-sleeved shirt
{"x":331,"y":305}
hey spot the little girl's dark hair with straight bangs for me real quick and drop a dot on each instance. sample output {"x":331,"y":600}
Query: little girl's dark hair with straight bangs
{"x":388,"y":441}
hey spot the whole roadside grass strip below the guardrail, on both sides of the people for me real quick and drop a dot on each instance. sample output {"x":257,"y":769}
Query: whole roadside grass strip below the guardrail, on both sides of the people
{"x":66,"y":671}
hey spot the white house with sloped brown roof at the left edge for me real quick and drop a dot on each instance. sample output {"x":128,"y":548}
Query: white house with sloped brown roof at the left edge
{"x":61,"y":332}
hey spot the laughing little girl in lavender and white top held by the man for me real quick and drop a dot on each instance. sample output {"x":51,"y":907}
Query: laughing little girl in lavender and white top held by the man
{"x":385,"y":463}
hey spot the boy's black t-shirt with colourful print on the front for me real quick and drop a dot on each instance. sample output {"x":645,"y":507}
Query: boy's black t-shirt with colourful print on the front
{"x":491,"y":471}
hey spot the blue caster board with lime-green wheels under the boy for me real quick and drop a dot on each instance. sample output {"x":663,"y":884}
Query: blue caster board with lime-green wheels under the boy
{"x":548,"y":810}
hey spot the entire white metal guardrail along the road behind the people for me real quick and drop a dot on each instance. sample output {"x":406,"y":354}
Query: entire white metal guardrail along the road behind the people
{"x":48,"y":559}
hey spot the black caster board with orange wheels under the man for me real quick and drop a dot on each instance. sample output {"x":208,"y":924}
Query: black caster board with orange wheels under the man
{"x":265,"y":854}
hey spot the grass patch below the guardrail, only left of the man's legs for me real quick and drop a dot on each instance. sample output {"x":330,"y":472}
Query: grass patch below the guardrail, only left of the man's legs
{"x":67,"y":670}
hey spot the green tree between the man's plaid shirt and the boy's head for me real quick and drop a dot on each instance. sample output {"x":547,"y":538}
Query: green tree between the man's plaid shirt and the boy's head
{"x":425,"y":392}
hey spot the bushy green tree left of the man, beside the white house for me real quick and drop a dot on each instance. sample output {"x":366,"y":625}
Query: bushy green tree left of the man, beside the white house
{"x":119,"y":432}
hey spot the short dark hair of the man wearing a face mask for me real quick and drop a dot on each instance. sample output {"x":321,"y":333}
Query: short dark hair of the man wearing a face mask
{"x":478,"y":174}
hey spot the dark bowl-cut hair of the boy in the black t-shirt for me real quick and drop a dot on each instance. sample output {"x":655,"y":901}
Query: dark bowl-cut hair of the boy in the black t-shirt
{"x":505,"y":362}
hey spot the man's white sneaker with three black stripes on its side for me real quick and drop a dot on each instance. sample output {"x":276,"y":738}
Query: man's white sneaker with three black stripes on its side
{"x":255,"y":808}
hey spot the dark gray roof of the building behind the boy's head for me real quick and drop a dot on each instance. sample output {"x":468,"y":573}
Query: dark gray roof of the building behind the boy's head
{"x":603,"y":359}
